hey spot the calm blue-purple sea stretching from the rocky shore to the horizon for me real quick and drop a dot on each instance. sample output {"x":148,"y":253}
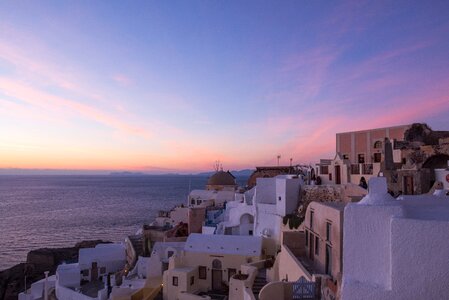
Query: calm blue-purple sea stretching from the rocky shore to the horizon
{"x":59,"y":211}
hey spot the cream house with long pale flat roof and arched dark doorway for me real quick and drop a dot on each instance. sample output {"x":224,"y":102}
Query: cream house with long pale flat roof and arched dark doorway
{"x":208,"y":262}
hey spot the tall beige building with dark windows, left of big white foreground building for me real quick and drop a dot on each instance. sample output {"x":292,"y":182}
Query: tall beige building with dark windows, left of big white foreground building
{"x":314,"y":254}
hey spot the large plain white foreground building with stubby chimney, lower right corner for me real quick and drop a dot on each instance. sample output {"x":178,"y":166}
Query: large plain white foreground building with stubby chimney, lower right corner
{"x":396,"y":249}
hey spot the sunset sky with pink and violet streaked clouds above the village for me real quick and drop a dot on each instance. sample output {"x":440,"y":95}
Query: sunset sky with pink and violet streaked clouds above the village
{"x":172,"y":86}
